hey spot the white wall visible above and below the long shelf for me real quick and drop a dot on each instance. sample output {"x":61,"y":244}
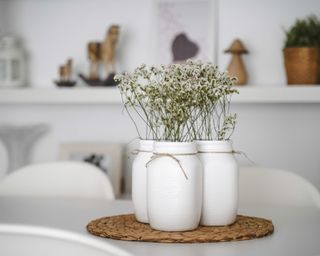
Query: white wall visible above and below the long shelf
{"x":280,"y":135}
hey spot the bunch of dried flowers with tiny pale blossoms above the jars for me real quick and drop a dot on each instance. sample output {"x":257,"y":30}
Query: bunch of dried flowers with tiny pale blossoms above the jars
{"x":179,"y":102}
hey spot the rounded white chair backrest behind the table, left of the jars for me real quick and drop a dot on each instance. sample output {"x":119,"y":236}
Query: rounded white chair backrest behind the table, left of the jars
{"x":58,"y":179}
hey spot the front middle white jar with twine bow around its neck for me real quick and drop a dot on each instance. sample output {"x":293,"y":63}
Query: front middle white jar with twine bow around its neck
{"x":174,"y":187}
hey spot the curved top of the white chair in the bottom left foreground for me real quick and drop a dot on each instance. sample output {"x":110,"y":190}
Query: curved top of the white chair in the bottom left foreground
{"x":23,"y":240}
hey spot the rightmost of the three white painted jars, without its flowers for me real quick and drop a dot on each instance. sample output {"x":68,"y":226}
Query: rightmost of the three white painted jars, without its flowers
{"x":220,"y":183}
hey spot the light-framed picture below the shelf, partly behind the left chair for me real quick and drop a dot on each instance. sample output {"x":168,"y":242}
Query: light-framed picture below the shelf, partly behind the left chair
{"x":105,"y":156}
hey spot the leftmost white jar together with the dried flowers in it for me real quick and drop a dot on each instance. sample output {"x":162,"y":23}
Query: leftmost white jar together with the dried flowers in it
{"x":135,"y":101}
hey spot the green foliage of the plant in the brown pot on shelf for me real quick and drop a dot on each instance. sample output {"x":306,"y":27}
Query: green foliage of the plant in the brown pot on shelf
{"x":304,"y":33}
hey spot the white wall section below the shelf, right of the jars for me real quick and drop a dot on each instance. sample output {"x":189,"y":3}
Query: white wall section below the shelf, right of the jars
{"x":280,"y":136}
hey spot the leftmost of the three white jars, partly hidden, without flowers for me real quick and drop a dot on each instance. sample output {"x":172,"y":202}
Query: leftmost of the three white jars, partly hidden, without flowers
{"x":139,"y":180}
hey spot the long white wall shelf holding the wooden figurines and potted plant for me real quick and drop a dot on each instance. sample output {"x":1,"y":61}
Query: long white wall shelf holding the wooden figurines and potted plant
{"x":111,"y":95}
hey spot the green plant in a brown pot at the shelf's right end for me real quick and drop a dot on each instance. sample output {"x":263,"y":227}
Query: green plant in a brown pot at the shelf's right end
{"x":302,"y":52}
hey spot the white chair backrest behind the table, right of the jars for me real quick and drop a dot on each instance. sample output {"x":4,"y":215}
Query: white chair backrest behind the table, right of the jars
{"x":278,"y":187}
